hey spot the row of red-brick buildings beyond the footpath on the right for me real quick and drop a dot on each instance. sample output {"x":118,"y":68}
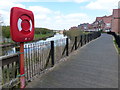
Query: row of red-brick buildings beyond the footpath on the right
{"x":105,"y":23}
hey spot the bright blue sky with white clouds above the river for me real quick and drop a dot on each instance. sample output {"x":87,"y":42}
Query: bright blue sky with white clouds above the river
{"x":60,"y":14}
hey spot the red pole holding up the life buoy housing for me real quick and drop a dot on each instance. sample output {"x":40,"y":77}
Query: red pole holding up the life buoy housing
{"x":22,"y":73}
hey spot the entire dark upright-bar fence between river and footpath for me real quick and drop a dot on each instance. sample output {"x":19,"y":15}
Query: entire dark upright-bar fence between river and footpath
{"x":39,"y":57}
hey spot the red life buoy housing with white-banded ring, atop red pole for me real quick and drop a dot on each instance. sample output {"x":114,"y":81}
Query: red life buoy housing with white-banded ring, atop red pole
{"x":21,"y":25}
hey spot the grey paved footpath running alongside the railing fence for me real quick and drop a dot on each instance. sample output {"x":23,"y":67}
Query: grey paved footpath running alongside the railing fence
{"x":95,"y":65}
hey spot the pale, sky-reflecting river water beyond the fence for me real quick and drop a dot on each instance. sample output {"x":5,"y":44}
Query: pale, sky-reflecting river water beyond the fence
{"x":57,"y":38}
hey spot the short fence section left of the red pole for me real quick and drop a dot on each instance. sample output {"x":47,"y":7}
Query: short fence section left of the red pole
{"x":9,"y":71}
